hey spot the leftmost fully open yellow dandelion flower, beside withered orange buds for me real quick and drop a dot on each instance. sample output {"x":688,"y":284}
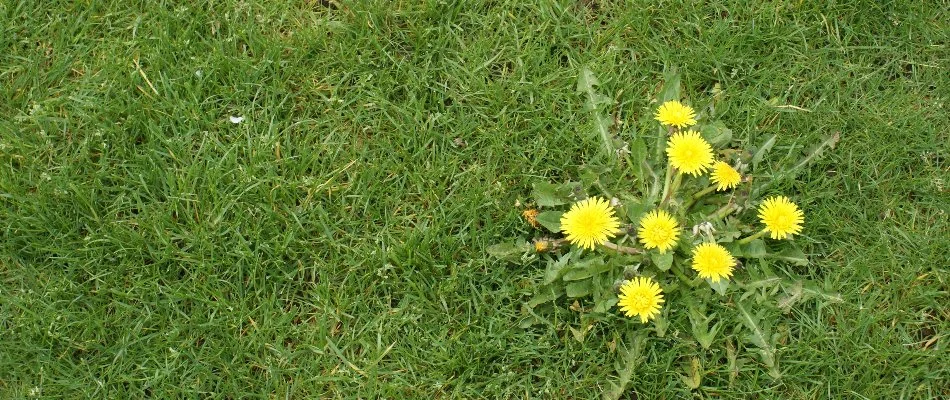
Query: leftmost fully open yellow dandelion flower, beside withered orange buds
{"x":590,"y":222}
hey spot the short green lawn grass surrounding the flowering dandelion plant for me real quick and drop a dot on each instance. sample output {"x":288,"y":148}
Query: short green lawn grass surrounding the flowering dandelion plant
{"x":333,"y":243}
